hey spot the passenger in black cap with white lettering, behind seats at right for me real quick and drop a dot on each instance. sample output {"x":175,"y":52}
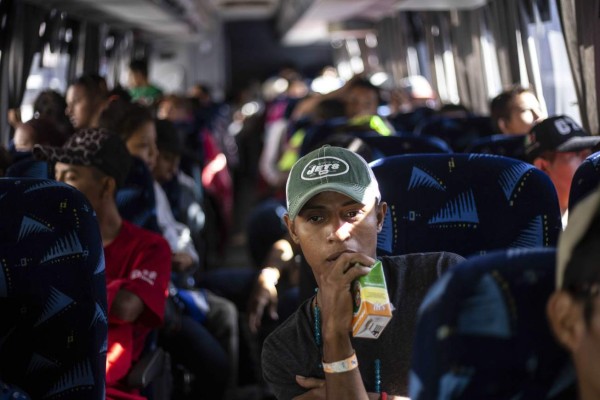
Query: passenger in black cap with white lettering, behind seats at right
{"x":558,"y":146}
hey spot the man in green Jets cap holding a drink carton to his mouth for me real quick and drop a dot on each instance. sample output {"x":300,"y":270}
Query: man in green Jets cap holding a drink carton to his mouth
{"x":334,"y":214}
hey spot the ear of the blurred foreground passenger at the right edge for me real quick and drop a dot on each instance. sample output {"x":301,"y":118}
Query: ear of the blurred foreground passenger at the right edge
{"x":565,"y":316}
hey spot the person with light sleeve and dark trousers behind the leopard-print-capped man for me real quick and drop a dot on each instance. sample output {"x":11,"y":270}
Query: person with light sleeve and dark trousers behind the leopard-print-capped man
{"x":212,"y":359}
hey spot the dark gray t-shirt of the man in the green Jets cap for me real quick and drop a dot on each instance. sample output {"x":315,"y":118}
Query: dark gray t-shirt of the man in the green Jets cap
{"x":291,"y":349}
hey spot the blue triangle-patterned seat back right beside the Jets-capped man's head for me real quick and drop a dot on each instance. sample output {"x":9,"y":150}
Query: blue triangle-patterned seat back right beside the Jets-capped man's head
{"x":466,"y":204}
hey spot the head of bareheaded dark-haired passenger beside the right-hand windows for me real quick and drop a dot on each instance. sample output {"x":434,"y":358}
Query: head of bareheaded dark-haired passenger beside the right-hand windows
{"x":515,"y":111}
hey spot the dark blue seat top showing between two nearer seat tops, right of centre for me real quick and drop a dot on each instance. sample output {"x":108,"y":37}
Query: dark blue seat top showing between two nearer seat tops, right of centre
{"x":459,"y":133}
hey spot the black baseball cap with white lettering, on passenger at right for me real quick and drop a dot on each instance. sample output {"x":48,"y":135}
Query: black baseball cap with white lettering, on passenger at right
{"x":559,"y":134}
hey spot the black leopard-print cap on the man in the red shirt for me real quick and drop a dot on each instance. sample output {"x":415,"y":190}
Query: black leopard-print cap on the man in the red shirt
{"x":95,"y":147}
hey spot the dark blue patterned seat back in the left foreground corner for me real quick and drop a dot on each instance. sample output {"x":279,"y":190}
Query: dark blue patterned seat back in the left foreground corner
{"x":52,"y":292}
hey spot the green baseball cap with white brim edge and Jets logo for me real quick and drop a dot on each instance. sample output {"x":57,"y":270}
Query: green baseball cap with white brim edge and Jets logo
{"x":330,"y":169}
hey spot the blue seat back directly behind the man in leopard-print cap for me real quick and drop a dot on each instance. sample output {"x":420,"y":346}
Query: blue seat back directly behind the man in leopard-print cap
{"x":135,"y":200}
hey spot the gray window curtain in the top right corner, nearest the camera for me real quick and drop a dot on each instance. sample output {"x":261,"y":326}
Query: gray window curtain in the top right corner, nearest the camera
{"x":580,"y":21}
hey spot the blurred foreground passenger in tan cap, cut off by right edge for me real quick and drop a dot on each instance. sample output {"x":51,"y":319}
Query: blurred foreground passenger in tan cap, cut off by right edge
{"x":574,"y":308}
